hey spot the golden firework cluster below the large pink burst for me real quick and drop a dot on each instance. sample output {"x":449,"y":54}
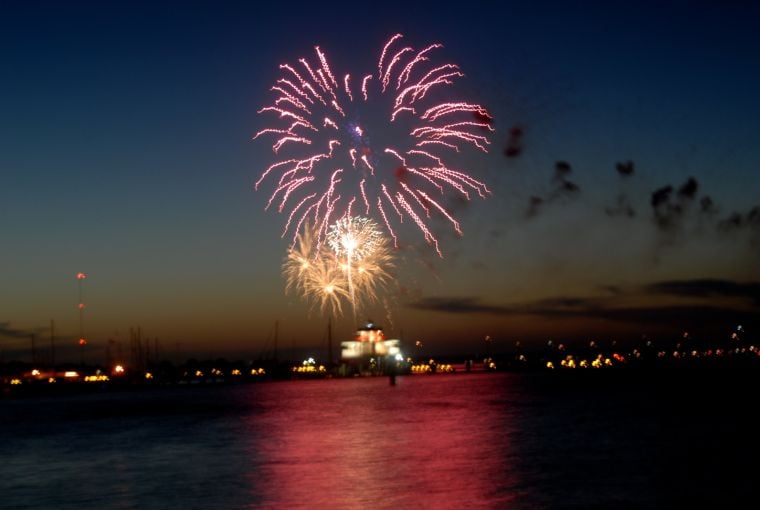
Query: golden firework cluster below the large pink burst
{"x":327,"y":278}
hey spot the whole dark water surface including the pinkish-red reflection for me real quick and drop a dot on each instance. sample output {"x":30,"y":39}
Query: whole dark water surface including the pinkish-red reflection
{"x":447,"y":441}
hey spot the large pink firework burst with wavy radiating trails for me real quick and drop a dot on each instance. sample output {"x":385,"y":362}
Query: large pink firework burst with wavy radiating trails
{"x":377,"y":143}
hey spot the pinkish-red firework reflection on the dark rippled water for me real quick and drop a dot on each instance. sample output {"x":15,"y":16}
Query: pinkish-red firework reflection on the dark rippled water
{"x":428,"y":442}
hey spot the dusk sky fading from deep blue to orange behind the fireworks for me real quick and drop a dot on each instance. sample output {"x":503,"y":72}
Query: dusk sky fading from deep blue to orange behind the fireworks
{"x":624,"y":171}
